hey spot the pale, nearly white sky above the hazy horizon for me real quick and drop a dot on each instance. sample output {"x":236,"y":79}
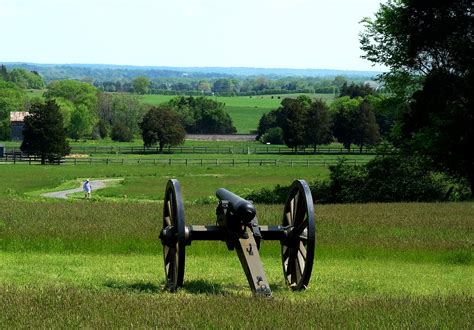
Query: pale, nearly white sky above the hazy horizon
{"x":301,"y":34}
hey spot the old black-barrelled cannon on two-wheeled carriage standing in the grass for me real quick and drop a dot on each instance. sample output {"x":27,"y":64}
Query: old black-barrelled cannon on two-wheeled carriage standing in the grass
{"x":238,"y":227}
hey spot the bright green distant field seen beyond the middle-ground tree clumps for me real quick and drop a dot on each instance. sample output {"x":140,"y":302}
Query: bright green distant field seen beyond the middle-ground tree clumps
{"x":245,"y":111}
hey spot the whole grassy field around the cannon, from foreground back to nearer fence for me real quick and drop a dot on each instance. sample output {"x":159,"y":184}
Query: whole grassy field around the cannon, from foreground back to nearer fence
{"x":99,"y":263}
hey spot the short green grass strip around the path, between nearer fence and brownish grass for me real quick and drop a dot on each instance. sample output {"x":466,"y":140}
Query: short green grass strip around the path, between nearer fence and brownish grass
{"x":148,"y":182}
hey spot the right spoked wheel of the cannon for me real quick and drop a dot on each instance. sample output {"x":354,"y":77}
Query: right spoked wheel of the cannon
{"x":298,"y":246}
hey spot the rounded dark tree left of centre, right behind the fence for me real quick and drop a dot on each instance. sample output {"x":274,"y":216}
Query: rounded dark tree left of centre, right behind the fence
{"x":161,"y":125}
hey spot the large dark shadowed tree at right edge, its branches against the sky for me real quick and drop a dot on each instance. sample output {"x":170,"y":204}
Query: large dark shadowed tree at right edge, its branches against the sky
{"x":428,"y":47}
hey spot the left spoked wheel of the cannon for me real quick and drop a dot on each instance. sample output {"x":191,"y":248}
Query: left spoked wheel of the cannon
{"x":173,"y":235}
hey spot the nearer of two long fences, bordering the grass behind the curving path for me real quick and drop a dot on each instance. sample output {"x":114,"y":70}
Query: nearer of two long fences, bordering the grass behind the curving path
{"x":183,"y":161}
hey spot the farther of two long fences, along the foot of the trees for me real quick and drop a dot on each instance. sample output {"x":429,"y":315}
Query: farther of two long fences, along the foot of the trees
{"x":212,"y":150}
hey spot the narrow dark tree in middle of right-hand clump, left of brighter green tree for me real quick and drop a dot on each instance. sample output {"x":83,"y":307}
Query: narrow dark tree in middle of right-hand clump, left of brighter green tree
{"x":318,"y":124}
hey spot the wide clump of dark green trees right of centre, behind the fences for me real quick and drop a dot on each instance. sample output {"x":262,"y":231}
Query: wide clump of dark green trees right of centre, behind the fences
{"x":357,"y":117}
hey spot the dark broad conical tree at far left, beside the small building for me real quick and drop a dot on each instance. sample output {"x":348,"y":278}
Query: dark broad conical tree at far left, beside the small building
{"x":44,"y":134}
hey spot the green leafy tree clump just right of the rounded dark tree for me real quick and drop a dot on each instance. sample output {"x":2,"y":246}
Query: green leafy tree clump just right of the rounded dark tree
{"x":201,"y":115}
